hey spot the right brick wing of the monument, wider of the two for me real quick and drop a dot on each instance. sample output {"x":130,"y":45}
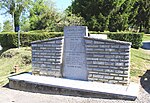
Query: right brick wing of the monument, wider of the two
{"x":108,"y":60}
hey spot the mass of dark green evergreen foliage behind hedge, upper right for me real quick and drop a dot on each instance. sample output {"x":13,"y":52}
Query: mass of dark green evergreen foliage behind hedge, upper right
{"x":113,"y":15}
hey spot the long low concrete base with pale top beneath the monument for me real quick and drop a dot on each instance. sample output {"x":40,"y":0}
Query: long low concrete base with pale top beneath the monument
{"x":42,"y":84}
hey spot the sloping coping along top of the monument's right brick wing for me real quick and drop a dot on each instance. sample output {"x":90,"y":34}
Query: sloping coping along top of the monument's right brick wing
{"x":108,"y":40}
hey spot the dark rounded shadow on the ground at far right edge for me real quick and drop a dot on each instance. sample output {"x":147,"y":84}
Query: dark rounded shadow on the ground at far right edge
{"x":145,"y":81}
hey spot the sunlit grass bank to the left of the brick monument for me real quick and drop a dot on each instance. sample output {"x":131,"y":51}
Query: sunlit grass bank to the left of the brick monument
{"x":12,"y":57}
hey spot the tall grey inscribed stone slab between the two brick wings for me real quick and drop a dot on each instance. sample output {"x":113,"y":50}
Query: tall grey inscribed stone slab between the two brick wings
{"x":74,"y":64}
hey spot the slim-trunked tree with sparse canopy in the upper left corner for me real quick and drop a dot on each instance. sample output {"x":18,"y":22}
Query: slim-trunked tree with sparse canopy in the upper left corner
{"x":15,"y":8}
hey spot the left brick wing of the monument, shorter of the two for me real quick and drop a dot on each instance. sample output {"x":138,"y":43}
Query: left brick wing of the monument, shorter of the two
{"x":47,"y":57}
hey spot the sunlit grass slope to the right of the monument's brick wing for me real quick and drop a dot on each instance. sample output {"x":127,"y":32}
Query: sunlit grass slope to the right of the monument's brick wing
{"x":140,"y":63}
